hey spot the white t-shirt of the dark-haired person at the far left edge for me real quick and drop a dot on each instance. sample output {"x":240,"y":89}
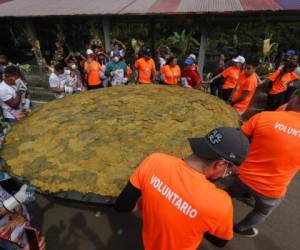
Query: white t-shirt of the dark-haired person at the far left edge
{"x":6,"y":93}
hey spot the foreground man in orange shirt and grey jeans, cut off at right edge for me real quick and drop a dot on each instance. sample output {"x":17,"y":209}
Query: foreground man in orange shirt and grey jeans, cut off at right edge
{"x":271,"y":164}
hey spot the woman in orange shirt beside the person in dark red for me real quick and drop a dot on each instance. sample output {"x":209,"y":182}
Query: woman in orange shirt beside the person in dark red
{"x":171,"y":73}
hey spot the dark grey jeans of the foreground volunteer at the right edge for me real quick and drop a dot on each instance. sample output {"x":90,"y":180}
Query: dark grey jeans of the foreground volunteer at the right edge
{"x":263,"y":206}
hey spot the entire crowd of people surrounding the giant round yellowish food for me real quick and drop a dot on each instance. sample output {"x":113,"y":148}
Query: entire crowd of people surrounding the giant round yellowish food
{"x":180,"y":205}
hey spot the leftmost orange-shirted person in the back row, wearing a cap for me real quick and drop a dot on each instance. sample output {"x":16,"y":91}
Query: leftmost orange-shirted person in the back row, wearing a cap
{"x":92,"y":69}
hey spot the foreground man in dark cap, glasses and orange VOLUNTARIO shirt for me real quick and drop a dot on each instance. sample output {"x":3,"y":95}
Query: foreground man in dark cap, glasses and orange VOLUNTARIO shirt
{"x":180,"y":205}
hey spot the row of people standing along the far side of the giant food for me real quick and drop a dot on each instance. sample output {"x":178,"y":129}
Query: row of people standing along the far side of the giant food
{"x":234,"y":80}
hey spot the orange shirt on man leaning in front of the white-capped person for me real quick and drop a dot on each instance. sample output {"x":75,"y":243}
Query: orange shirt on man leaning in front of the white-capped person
{"x":245,"y":83}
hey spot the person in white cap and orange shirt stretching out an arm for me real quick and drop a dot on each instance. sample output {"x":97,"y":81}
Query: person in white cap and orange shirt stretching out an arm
{"x":231,"y":75}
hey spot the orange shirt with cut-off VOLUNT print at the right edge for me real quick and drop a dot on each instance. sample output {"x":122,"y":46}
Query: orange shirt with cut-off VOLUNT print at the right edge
{"x":273,"y":158}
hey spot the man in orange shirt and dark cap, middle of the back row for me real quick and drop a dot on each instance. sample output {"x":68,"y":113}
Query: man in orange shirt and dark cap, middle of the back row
{"x":146,"y":68}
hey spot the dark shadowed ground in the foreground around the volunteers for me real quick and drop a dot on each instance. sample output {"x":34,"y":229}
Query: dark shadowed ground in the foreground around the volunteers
{"x":72,"y":226}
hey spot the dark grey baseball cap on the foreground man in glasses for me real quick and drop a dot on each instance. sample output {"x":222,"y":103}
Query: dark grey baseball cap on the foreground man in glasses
{"x":221,"y":143}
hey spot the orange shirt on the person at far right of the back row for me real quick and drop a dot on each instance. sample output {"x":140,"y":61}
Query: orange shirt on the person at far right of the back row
{"x":280,"y":85}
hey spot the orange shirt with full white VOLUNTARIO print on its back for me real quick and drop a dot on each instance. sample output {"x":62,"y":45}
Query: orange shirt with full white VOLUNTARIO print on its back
{"x":179,"y":205}
